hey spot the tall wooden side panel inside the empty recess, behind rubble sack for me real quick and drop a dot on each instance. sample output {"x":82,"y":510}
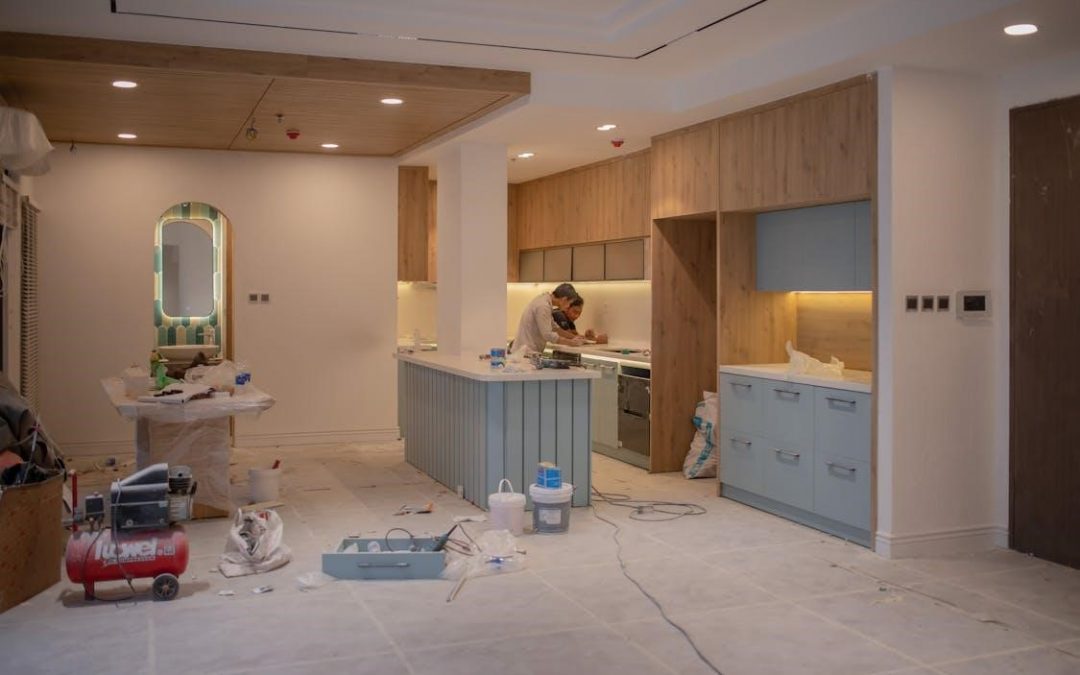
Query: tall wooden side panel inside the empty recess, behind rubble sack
{"x":684,"y":333}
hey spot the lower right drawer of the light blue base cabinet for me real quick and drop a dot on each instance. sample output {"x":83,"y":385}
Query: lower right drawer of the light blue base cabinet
{"x":842,"y":490}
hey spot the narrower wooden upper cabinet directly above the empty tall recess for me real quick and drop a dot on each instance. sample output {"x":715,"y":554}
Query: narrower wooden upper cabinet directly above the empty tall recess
{"x":684,"y":172}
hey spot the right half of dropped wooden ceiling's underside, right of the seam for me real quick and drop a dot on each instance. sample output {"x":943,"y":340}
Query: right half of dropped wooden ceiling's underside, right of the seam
{"x":353,"y":116}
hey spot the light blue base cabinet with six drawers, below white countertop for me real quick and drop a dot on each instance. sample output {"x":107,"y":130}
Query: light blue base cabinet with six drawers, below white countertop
{"x":799,"y":451}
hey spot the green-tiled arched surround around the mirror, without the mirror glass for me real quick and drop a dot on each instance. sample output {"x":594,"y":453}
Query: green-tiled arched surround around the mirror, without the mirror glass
{"x":190,"y":330}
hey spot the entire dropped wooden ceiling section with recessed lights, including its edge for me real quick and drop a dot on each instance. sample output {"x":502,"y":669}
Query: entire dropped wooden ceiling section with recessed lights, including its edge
{"x":205,"y":98}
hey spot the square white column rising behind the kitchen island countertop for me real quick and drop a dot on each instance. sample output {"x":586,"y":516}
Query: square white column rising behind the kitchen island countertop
{"x":471,"y":246}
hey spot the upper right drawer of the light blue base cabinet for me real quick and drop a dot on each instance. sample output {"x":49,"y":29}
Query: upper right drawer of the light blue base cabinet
{"x":843,"y":424}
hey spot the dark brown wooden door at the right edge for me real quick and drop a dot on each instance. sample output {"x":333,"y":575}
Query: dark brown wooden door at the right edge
{"x":1045,"y":407}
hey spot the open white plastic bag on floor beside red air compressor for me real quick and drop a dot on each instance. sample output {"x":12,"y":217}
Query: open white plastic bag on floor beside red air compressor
{"x":254,"y":545}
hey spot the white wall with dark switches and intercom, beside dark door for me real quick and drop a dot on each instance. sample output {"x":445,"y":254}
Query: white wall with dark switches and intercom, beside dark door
{"x":937,"y":374}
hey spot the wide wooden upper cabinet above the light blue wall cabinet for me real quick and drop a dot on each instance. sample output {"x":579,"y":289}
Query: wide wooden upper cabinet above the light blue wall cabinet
{"x":812,"y":150}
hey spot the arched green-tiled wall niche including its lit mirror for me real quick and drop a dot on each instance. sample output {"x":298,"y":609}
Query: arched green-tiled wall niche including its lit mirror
{"x":191,"y":274}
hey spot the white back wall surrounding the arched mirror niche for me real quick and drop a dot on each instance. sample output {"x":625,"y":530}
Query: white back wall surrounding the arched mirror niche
{"x":316,"y":233}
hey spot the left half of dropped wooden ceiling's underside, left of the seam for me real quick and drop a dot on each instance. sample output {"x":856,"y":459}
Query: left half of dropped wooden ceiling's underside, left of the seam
{"x":77,"y":102}
